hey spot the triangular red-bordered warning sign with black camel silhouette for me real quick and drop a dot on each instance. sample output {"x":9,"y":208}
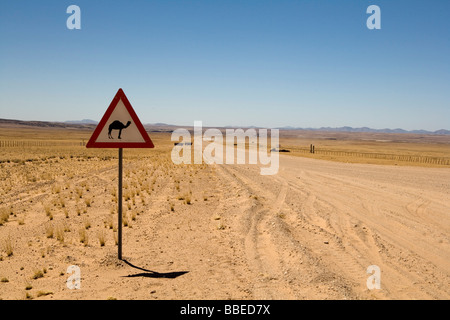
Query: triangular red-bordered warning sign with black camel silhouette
{"x":120,"y":127}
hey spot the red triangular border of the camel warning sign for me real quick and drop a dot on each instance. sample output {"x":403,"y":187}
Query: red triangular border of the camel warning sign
{"x":120,"y":95}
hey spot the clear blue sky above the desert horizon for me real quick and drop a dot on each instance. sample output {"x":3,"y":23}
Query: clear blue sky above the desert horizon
{"x":306,"y":63}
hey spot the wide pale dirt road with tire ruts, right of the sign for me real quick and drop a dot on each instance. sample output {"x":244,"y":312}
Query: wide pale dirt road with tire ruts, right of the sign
{"x":317,"y":226}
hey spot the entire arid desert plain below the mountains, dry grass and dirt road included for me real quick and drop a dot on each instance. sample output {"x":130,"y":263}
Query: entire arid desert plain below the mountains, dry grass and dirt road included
{"x":225,"y":231}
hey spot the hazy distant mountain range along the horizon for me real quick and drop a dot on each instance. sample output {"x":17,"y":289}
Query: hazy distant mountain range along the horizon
{"x":89,"y":123}
